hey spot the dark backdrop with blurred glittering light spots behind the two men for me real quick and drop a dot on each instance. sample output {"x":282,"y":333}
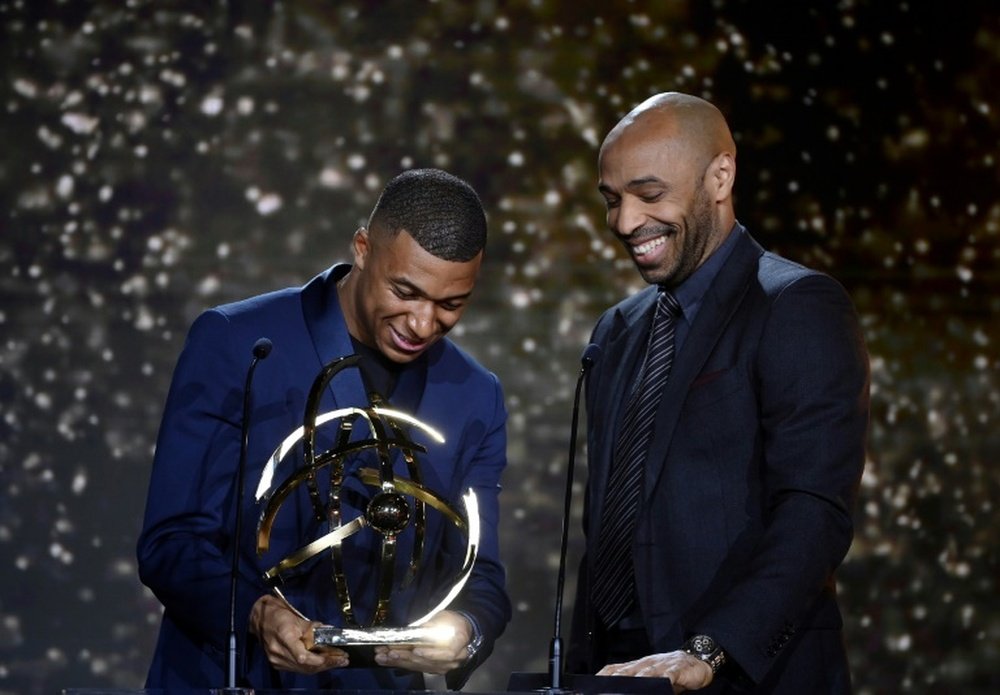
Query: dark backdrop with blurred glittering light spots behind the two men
{"x":162,"y":157}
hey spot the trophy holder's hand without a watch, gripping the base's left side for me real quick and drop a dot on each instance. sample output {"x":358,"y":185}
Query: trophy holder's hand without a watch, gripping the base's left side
{"x":282,"y":633}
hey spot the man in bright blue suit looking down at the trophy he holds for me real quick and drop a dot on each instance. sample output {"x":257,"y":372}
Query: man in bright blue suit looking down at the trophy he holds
{"x":415,"y":266}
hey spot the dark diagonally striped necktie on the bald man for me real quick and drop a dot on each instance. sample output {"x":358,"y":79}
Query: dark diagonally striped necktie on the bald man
{"x":613,"y":589}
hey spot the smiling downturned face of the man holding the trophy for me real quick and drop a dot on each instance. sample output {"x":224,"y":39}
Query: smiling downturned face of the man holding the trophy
{"x":401,"y":299}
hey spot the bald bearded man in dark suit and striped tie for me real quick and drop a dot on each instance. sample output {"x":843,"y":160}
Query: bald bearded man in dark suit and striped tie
{"x":726,"y":442}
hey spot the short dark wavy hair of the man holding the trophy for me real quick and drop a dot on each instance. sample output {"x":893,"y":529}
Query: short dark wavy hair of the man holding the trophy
{"x":440,"y":211}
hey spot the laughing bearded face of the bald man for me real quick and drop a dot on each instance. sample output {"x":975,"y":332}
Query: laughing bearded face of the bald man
{"x":667,"y":192}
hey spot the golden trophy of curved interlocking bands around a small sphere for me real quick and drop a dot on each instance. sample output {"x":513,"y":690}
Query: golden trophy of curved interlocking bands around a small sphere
{"x":396,"y":504}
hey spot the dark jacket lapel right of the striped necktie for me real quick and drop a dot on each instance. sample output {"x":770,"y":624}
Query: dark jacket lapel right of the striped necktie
{"x":718,"y":305}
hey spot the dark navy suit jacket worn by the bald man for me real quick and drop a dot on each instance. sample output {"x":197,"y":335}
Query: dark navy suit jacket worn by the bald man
{"x":750,"y":477}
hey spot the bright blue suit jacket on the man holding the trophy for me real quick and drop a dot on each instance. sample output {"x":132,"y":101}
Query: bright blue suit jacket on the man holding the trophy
{"x":184,"y":550}
